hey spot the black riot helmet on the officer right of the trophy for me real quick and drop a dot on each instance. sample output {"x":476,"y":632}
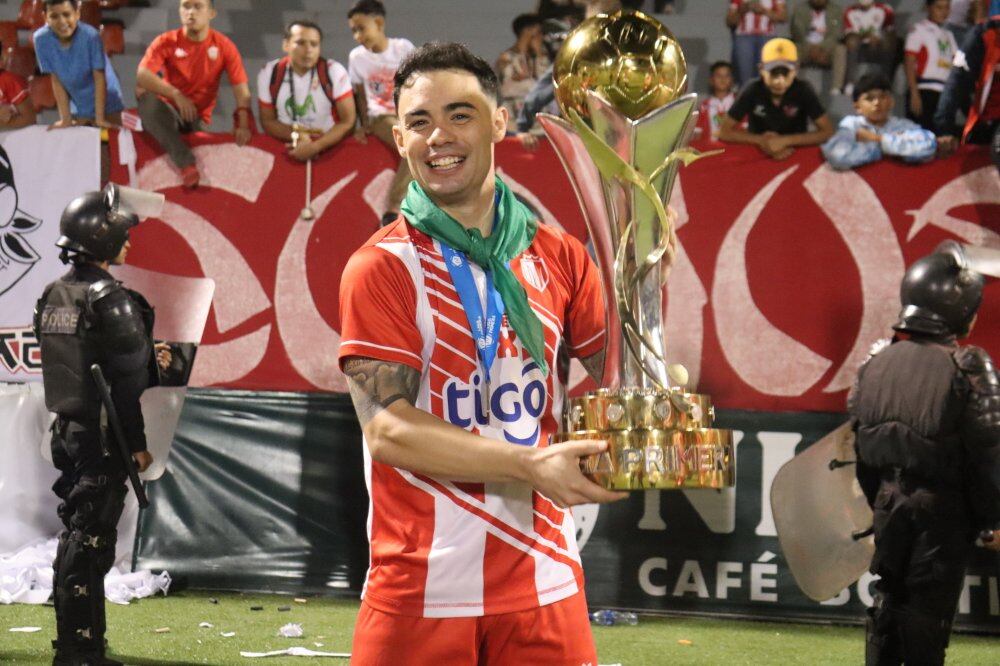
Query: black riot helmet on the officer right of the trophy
{"x":940,"y":293}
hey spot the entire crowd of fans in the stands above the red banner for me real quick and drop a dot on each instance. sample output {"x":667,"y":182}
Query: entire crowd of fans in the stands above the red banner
{"x":311,"y":102}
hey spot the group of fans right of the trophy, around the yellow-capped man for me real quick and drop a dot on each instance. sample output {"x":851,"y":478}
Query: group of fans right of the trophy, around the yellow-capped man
{"x":949,"y":59}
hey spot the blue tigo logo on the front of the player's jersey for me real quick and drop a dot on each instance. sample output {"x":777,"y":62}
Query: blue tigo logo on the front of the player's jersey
{"x":517,"y":405}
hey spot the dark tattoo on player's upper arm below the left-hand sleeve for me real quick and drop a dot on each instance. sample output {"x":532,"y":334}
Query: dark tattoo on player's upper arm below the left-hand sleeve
{"x":375,"y":385}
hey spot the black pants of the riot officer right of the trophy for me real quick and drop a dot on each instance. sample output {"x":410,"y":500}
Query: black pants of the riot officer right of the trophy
{"x":923,"y":541}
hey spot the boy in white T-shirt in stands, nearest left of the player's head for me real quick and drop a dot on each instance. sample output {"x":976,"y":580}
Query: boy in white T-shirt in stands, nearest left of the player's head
{"x":372,"y":65}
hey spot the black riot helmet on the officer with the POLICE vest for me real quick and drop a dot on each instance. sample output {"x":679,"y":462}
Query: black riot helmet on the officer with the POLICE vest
{"x":95,"y":225}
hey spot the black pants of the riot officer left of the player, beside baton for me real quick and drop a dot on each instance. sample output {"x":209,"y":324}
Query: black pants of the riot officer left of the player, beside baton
{"x":92,"y":489}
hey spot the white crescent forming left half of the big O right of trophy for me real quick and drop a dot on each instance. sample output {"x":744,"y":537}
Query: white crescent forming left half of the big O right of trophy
{"x":766,"y":358}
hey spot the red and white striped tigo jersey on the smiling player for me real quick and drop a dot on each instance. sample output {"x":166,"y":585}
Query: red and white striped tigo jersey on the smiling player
{"x":447,"y":549}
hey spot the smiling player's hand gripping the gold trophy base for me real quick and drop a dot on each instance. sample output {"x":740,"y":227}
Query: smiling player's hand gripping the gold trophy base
{"x":555,"y":472}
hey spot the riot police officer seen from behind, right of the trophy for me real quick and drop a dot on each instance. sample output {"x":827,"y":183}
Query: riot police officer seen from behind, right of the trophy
{"x":926,"y":415}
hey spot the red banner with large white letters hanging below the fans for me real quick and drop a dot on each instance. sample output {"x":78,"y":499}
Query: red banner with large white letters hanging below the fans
{"x":788,"y":270}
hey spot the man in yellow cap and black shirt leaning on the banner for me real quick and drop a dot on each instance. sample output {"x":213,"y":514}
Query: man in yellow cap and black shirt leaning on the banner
{"x":778,"y":107}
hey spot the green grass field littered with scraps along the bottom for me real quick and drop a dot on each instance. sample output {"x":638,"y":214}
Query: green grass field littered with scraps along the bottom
{"x":134,"y":640}
